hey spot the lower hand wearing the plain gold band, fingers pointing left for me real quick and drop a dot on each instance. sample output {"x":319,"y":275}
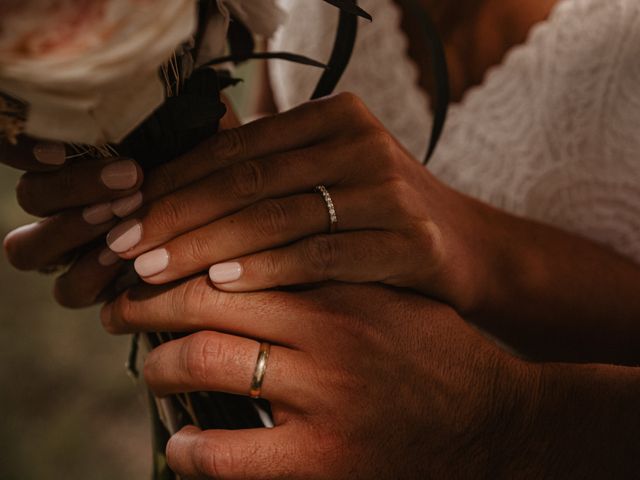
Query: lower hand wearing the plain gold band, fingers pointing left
{"x":364,"y":382}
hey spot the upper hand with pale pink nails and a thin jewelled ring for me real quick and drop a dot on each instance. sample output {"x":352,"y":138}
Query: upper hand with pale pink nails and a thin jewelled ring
{"x":260,"y":224}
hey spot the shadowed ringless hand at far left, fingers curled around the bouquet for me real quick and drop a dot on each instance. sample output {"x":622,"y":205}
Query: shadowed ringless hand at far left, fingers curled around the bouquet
{"x":81,"y":201}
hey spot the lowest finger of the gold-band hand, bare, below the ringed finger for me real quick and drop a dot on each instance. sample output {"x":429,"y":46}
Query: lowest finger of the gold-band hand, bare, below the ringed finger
{"x":253,"y":454}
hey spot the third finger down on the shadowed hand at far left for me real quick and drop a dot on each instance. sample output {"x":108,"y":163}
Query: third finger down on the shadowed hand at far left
{"x":45,"y":243}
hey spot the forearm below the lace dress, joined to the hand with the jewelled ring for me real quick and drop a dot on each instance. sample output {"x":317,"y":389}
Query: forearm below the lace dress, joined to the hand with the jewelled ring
{"x":556,"y":296}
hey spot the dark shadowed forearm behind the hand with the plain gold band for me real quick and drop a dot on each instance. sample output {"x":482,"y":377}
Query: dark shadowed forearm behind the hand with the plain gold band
{"x":585,"y":425}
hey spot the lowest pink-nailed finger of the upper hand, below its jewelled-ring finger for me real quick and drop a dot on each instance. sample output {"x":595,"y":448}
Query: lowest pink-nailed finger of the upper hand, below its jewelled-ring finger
{"x":362,"y":256}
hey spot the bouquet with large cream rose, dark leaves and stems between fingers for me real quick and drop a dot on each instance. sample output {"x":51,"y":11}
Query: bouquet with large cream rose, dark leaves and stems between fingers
{"x":142,"y":78}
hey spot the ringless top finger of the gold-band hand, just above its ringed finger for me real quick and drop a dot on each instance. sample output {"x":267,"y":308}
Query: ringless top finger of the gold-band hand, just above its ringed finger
{"x":194,"y":305}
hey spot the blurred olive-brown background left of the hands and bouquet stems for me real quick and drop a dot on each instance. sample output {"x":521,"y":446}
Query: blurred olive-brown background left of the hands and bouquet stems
{"x":68,"y":409}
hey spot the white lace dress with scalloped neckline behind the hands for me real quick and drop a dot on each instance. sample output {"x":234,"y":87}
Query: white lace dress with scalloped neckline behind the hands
{"x":552,"y":134}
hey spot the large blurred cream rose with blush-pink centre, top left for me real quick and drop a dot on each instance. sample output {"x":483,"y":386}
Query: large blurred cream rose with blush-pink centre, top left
{"x":87,"y":69}
